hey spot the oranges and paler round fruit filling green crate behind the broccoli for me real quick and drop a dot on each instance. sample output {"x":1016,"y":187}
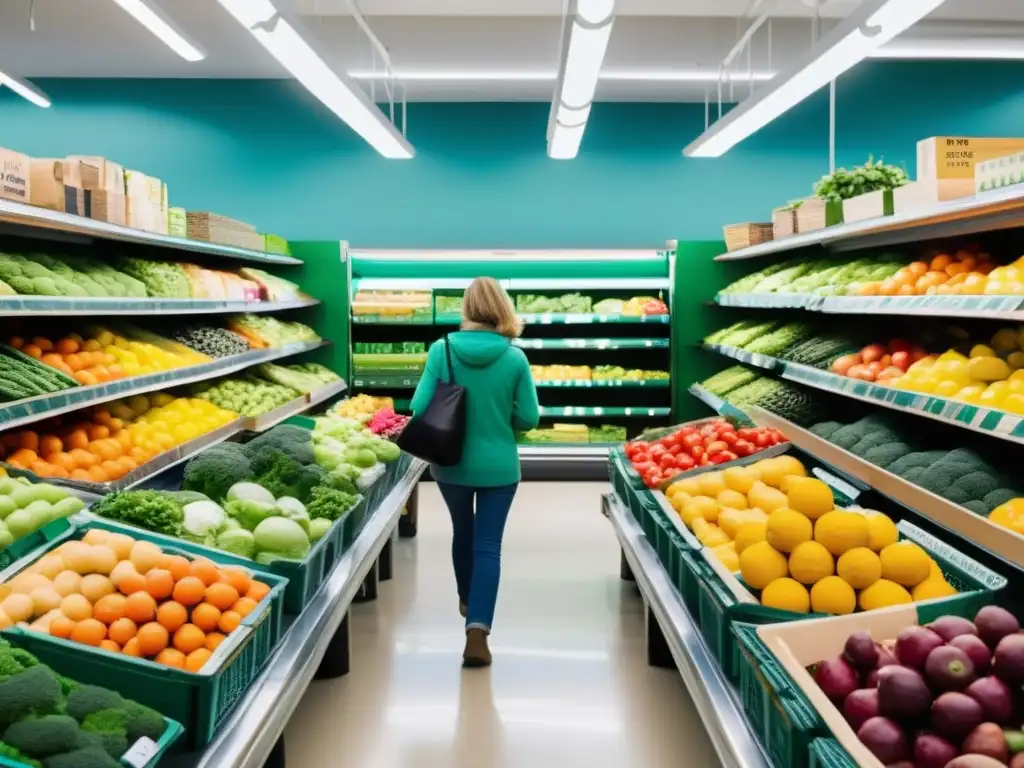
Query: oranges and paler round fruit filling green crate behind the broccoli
{"x":123,"y":595}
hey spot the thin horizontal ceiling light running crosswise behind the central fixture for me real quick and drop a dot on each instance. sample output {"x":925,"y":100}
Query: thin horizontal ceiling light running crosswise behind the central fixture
{"x":516,"y":76}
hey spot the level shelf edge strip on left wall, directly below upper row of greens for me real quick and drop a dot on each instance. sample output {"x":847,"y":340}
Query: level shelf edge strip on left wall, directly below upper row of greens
{"x":55,"y":307}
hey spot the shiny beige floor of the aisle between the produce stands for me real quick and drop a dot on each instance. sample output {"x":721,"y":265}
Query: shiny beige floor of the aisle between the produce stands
{"x":570,"y":686}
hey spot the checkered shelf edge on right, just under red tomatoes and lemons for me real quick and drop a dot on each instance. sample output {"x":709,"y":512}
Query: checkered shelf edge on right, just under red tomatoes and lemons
{"x":1000,"y":424}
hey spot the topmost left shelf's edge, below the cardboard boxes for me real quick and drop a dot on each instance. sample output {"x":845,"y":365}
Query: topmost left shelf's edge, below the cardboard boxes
{"x":44,"y":223}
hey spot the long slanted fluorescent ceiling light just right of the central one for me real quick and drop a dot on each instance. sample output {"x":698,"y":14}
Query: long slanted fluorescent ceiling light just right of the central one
{"x":869,"y":27}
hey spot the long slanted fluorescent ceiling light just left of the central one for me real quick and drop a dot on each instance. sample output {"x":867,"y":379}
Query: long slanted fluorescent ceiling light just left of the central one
{"x":284,"y":40}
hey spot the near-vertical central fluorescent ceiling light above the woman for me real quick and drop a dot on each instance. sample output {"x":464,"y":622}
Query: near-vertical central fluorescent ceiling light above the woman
{"x":585,"y":40}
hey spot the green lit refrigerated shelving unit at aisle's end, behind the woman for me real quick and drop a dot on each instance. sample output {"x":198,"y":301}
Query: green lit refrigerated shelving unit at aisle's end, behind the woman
{"x":632,"y":343}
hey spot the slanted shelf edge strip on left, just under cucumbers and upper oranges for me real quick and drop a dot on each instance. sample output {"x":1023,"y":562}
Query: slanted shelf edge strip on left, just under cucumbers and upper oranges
{"x":19,"y":413}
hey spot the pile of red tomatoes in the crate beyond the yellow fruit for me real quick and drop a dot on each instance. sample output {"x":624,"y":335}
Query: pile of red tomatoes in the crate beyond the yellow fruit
{"x":715,"y":443}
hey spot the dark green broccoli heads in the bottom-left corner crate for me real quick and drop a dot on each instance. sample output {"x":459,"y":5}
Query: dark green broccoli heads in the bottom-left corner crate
{"x":52,"y":721}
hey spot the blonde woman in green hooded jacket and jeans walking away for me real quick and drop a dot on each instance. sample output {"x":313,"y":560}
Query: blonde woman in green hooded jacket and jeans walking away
{"x":500,"y":400}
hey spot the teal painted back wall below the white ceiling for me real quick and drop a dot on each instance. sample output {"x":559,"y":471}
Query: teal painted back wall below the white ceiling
{"x":267,"y":153}
